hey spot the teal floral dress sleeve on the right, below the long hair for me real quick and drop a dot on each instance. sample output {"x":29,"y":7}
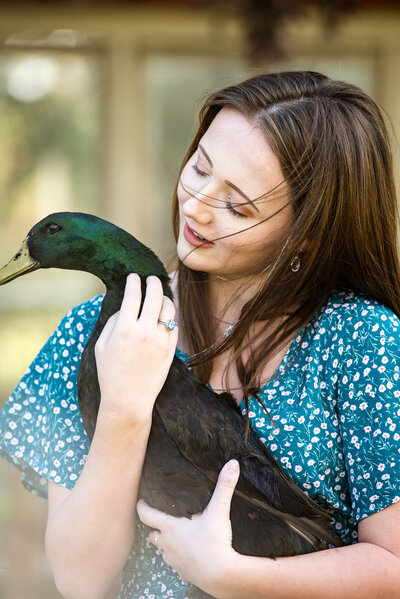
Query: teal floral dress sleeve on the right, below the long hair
{"x":369,"y":408}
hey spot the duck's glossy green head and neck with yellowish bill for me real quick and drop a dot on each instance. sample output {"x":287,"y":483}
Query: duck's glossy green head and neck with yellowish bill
{"x":78,"y":241}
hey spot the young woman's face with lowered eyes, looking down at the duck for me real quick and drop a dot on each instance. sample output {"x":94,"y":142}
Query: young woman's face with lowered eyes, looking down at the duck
{"x":232,"y":194}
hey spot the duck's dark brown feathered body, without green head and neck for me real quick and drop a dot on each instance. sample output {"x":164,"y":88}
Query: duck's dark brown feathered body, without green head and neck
{"x":194,"y":433}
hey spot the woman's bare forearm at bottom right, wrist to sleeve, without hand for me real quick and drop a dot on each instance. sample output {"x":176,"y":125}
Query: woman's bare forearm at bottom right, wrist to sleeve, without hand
{"x":369,"y":569}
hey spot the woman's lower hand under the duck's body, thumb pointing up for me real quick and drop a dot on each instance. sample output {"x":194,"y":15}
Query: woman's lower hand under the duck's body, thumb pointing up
{"x":200,"y":548}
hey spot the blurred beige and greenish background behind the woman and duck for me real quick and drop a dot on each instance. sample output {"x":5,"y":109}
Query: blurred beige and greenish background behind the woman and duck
{"x":98,"y":103}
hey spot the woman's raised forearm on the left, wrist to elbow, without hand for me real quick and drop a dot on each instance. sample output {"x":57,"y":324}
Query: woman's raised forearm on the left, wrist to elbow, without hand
{"x":90,"y":529}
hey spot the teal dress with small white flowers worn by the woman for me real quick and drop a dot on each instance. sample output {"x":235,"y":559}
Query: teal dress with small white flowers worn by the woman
{"x":335,"y":400}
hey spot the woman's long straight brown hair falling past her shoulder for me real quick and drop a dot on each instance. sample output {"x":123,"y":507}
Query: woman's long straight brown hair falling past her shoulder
{"x":333,"y":148}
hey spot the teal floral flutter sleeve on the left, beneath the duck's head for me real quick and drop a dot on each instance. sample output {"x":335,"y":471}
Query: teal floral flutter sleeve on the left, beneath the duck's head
{"x":41,"y":431}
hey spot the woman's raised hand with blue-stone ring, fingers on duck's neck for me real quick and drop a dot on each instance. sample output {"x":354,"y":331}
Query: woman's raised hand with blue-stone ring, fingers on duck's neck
{"x":134,"y":353}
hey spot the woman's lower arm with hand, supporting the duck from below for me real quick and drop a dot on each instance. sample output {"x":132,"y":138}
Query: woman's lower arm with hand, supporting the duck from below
{"x":200,"y":550}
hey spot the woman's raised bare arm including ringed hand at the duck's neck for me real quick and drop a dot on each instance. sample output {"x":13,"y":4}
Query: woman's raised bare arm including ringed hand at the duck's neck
{"x":90,"y":529}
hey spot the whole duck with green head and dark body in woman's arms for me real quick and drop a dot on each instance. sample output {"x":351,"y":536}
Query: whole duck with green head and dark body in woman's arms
{"x":195,"y":430}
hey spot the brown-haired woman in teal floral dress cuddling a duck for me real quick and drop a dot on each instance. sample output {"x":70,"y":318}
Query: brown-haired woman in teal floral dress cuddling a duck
{"x":288,"y":290}
